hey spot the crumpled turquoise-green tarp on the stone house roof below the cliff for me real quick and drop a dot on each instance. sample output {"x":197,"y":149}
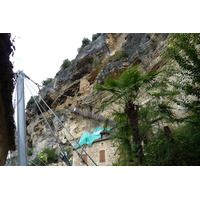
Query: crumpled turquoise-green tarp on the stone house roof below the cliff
{"x":89,"y":138}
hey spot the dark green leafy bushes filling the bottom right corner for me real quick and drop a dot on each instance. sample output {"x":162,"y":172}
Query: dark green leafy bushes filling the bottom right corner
{"x":184,"y":149}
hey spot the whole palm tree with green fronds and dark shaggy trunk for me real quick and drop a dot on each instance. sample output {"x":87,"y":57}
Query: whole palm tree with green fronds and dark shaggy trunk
{"x":127,"y":91}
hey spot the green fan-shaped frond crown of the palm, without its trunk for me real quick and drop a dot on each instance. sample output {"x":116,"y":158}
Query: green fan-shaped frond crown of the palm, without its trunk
{"x":128,"y":86}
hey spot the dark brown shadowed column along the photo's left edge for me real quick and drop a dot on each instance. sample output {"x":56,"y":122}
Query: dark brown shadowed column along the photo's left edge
{"x":7,"y":127}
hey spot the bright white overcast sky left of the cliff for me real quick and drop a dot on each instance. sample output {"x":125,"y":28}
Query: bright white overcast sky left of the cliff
{"x":40,"y":54}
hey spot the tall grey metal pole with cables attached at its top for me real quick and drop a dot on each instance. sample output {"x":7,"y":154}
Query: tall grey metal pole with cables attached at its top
{"x":21,"y":122}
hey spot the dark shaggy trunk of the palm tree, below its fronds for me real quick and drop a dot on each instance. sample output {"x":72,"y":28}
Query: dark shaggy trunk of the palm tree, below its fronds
{"x":132,"y":112}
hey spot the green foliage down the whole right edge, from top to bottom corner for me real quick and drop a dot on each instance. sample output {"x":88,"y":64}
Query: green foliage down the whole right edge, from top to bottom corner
{"x":184,"y":53}
